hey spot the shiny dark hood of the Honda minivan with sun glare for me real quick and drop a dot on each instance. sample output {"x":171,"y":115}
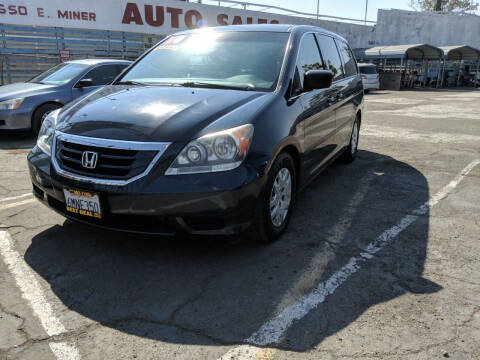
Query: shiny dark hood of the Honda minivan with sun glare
{"x":150,"y":113}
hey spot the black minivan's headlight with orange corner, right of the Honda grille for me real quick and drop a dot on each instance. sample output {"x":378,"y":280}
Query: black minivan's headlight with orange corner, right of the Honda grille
{"x":220,"y":151}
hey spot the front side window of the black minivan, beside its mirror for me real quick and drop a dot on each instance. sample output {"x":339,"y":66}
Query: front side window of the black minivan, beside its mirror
{"x":308,"y":59}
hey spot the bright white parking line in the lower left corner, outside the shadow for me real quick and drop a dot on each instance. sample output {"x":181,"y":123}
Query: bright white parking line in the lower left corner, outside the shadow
{"x":32,"y":292}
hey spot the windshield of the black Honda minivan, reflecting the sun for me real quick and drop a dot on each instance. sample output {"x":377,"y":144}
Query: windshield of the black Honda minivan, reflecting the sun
{"x":246,"y":60}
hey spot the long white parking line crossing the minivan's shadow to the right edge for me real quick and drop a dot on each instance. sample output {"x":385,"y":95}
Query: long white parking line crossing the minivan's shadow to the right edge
{"x":273,"y":330}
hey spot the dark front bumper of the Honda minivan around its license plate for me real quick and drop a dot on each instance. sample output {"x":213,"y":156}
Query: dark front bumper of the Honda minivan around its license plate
{"x":219,"y":203}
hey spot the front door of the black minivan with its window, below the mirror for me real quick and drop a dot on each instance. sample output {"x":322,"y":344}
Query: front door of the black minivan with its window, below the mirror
{"x":319,"y":107}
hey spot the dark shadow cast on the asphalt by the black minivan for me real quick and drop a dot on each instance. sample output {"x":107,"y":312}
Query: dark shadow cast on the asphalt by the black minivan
{"x":206,"y":292}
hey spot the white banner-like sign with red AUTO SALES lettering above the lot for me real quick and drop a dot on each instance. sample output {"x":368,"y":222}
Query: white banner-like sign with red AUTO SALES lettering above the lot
{"x":145,"y":16}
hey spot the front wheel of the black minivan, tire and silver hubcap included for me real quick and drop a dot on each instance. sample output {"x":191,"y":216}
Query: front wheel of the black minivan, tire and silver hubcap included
{"x":268,"y":228}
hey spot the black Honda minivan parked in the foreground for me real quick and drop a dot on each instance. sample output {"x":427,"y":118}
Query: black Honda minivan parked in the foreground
{"x":212,"y":131}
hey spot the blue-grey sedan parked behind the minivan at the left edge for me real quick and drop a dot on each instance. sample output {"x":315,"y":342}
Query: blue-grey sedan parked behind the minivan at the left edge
{"x":24,"y":105}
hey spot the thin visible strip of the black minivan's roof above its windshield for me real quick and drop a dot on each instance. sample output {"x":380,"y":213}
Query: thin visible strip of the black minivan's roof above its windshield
{"x":267,"y":28}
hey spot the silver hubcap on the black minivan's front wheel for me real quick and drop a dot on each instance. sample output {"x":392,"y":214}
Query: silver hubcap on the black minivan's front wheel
{"x":280,"y":197}
